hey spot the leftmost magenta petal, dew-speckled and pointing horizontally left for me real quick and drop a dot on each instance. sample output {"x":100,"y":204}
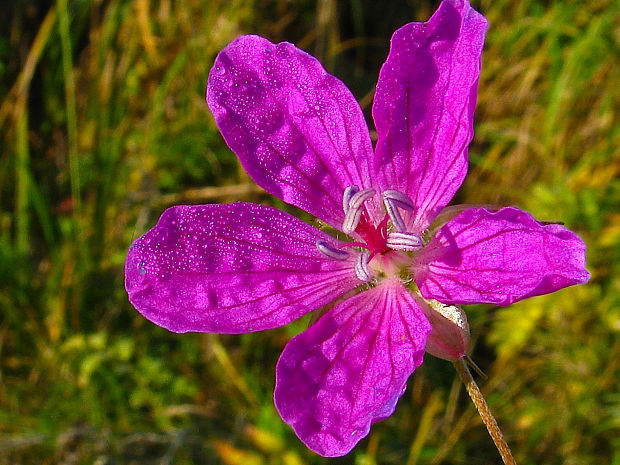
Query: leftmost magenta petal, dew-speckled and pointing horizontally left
{"x":232,"y":269}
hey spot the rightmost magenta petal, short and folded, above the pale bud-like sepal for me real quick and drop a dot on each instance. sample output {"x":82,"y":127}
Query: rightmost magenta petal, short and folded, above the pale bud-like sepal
{"x":499,"y":258}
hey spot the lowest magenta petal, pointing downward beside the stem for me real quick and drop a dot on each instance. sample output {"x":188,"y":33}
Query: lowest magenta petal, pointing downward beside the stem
{"x":349,"y":369}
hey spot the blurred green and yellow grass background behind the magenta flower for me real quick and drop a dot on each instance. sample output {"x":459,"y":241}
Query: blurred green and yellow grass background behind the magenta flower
{"x":104,"y":125}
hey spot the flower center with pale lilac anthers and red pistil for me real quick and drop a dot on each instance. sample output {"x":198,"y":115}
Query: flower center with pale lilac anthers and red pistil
{"x":380,"y":239}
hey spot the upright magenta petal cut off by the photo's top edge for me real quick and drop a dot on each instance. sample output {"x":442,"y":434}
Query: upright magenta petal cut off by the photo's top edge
{"x":424,"y":108}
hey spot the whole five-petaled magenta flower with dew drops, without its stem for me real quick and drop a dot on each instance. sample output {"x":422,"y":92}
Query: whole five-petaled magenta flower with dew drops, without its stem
{"x":395,"y":289}
